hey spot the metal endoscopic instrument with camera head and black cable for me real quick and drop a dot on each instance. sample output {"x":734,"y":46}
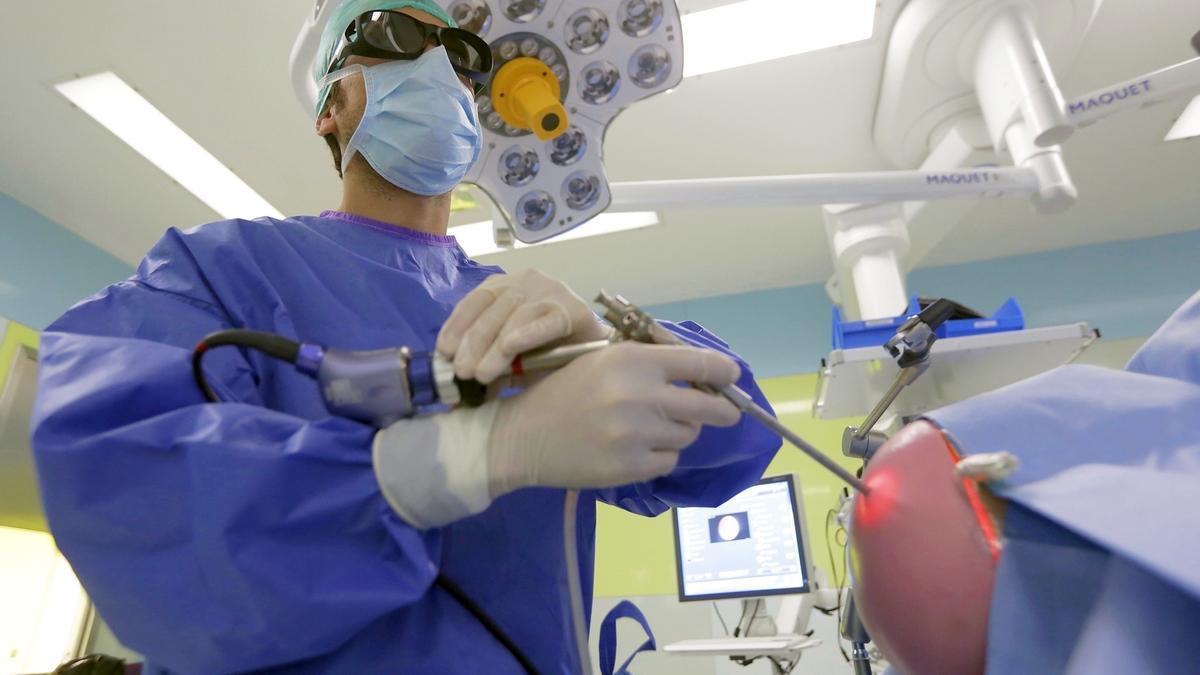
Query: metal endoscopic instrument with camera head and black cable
{"x":383,"y":386}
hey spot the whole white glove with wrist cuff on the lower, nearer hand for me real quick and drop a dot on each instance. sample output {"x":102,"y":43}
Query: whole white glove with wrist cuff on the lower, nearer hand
{"x":610,"y":419}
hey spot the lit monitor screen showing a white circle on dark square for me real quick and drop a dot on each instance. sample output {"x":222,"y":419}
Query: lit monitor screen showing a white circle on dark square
{"x":752,"y":546}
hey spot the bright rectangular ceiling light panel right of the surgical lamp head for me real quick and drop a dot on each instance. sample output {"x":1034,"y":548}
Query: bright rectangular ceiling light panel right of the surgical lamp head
{"x":753,"y":32}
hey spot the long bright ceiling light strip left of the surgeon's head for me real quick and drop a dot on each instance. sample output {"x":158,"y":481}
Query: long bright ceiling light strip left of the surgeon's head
{"x":107,"y":99}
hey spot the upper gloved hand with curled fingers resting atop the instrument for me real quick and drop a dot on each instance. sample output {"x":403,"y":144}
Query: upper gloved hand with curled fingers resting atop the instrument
{"x":509,"y":315}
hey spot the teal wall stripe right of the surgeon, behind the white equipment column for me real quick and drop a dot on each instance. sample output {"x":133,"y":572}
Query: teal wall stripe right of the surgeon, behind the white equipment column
{"x":1125,"y":289}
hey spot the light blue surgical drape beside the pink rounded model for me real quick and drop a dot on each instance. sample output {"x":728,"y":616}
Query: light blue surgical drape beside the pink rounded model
{"x":1101,"y":570}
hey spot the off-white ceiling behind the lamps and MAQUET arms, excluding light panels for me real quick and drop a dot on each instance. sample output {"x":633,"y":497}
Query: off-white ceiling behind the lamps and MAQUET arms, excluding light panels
{"x":220,"y":71}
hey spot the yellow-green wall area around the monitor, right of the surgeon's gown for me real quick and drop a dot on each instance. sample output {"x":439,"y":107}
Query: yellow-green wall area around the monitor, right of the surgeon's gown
{"x":651,"y":571}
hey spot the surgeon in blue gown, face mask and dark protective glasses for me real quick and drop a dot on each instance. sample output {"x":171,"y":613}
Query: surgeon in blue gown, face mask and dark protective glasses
{"x":263,"y":533}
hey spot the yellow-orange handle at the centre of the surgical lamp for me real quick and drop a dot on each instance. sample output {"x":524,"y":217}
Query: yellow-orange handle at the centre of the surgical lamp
{"x":526,"y":93}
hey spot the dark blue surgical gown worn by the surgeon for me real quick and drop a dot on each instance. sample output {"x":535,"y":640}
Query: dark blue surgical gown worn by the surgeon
{"x":253,"y":535}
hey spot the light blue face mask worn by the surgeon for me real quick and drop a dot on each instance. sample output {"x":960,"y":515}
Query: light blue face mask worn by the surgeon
{"x":421,"y":128}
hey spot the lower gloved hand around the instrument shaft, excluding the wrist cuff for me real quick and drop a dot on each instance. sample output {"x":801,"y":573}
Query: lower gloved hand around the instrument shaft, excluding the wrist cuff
{"x":610,"y":419}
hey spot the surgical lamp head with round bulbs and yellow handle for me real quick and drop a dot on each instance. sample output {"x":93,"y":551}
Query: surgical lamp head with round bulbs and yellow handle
{"x":543,"y":166}
